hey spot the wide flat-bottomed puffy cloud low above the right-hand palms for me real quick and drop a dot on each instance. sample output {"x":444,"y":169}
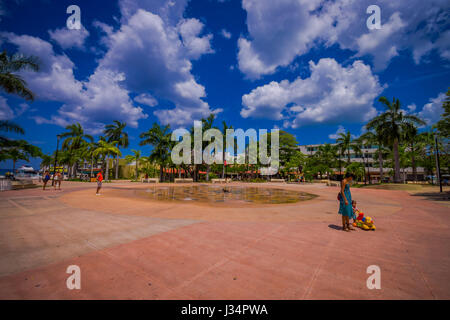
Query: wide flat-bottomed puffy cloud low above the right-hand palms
{"x":332,"y":94}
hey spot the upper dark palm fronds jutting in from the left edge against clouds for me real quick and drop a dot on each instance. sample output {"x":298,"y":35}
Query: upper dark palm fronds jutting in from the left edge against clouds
{"x":9,"y":80}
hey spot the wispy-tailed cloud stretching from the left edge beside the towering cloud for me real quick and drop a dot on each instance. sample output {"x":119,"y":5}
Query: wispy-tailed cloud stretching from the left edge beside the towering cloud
{"x":99,"y":99}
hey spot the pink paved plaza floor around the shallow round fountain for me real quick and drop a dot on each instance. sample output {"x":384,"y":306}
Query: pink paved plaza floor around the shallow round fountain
{"x":133,"y":248}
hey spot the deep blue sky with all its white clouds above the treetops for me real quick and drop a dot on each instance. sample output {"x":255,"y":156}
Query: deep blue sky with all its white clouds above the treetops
{"x":312,"y":68}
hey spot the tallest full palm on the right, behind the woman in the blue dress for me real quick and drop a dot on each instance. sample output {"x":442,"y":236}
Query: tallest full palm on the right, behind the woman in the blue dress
{"x":390,"y":125}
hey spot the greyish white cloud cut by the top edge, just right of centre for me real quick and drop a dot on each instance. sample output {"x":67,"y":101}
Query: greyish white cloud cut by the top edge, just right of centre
{"x":278,"y":31}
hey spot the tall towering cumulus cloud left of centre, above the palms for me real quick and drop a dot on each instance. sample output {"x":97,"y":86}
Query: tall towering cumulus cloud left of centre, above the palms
{"x":154,"y":53}
